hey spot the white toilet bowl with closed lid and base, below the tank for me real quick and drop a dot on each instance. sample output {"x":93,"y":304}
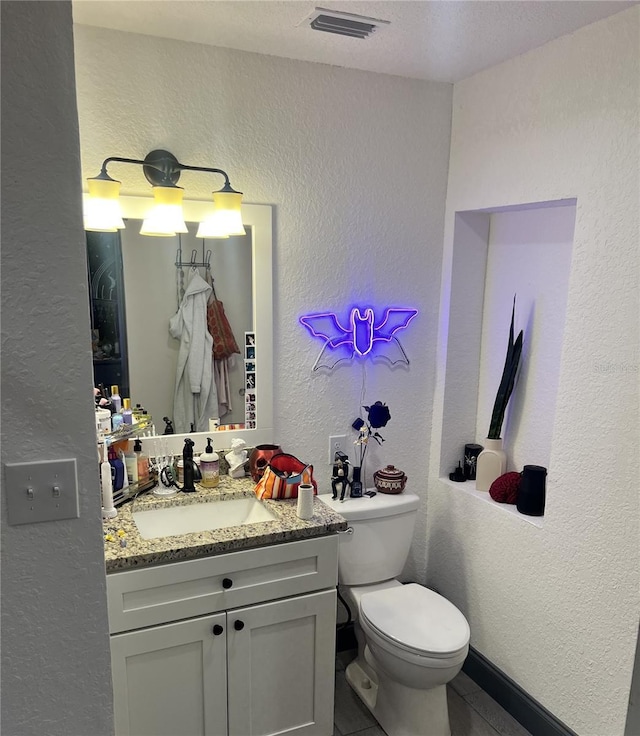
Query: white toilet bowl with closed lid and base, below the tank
{"x":411,"y":643}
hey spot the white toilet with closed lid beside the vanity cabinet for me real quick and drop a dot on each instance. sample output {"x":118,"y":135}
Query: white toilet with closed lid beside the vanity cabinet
{"x":411,"y":640}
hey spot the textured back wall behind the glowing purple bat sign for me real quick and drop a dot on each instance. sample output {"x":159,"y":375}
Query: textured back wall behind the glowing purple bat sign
{"x":355,"y":165}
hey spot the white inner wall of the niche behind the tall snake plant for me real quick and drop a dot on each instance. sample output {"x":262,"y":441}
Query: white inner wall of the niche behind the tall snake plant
{"x":528,"y":255}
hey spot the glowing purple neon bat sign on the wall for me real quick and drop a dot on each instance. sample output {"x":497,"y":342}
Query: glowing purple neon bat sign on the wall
{"x":364,"y":334}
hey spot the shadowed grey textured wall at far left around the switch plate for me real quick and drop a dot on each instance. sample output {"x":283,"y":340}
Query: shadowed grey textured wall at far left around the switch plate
{"x":55,"y":650}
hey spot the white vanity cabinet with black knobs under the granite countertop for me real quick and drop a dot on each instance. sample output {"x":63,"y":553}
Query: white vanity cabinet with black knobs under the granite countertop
{"x":241,"y":644}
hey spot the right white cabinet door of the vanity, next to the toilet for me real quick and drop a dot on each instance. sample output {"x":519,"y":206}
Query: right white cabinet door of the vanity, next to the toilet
{"x":281,"y":667}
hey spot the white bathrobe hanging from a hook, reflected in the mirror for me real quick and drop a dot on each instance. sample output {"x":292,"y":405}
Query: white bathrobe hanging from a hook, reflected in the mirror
{"x":195,"y":398}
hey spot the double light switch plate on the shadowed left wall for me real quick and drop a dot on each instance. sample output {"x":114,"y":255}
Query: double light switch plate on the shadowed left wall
{"x":46,"y":490}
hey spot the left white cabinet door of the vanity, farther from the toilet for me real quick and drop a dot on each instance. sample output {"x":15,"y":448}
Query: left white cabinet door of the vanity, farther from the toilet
{"x":171,"y":679}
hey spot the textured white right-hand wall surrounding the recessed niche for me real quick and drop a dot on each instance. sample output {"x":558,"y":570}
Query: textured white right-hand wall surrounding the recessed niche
{"x":557,"y":607}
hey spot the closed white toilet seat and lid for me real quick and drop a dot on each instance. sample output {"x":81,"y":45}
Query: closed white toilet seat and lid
{"x":415,"y":622}
